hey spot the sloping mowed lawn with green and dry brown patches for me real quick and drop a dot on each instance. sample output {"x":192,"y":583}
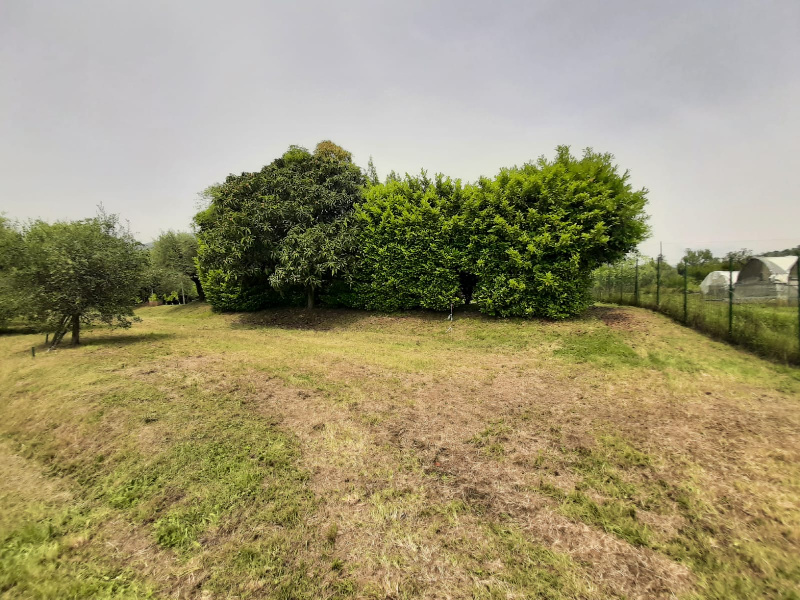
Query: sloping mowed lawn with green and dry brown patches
{"x":338,"y":454}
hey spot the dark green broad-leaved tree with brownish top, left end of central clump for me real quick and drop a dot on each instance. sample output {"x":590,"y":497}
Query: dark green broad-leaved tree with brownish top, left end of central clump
{"x":283,"y":228}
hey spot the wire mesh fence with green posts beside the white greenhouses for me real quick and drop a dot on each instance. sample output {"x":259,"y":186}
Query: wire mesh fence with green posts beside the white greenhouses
{"x":763,"y":319}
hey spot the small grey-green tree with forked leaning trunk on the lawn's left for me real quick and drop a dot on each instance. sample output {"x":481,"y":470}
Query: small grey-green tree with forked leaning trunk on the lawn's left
{"x":80,"y":272}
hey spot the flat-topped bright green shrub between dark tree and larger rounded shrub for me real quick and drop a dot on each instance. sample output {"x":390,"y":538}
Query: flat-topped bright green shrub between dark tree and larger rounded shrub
{"x":408,"y":256}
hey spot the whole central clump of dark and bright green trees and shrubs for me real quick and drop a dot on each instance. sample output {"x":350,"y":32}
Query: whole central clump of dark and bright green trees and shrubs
{"x":312,"y":227}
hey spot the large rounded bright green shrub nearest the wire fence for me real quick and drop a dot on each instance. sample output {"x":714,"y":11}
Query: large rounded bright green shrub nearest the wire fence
{"x":537,"y":232}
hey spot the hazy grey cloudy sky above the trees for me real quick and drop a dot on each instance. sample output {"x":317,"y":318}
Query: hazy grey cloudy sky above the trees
{"x":140,"y":105}
